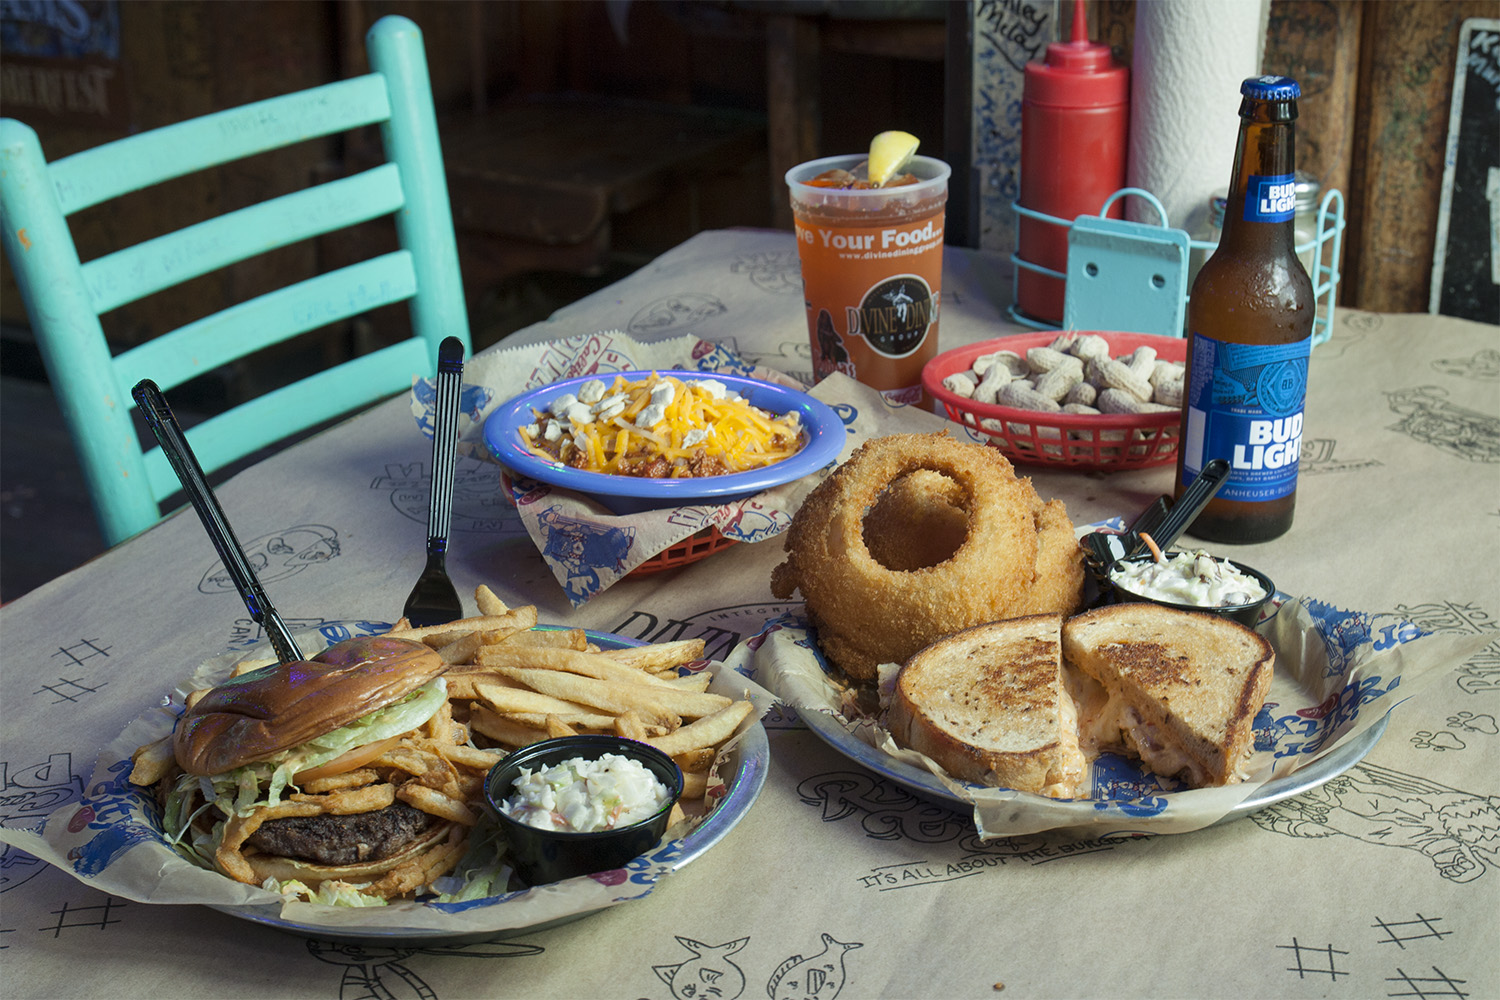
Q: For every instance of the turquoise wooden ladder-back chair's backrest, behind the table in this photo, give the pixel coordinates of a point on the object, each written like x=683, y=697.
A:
x=65, y=298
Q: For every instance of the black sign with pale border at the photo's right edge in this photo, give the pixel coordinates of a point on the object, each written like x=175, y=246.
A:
x=1466, y=262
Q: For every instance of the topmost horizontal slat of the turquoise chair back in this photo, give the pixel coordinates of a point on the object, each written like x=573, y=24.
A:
x=176, y=151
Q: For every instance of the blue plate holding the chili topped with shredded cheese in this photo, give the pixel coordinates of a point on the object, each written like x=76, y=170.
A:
x=629, y=494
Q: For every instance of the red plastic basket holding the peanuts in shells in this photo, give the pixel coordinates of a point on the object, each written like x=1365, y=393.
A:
x=1079, y=442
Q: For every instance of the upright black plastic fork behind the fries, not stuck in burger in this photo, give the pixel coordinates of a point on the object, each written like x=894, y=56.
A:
x=436, y=600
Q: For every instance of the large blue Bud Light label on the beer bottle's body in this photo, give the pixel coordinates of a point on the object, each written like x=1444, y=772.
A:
x=1246, y=407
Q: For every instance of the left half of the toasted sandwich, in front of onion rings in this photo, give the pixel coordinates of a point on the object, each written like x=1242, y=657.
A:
x=991, y=707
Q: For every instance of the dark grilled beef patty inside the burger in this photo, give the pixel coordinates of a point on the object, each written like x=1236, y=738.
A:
x=343, y=840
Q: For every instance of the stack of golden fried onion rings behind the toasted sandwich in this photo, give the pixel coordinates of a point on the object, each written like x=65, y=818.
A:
x=917, y=537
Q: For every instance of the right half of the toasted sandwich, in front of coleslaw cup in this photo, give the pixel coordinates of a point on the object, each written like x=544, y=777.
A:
x=1181, y=689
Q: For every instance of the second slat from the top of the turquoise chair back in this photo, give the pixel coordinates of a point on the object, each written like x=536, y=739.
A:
x=206, y=247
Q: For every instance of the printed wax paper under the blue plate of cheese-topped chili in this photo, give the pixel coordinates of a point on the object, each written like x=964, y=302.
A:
x=587, y=546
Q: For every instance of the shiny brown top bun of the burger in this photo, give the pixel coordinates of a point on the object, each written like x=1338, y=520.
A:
x=263, y=713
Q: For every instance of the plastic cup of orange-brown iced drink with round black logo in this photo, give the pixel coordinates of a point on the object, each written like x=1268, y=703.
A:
x=872, y=274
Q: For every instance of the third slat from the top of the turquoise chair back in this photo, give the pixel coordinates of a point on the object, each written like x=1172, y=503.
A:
x=254, y=326
